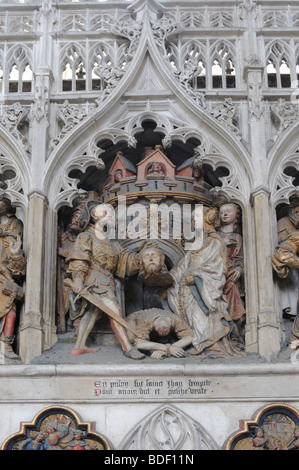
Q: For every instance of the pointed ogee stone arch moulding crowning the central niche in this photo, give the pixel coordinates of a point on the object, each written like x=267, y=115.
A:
x=199, y=117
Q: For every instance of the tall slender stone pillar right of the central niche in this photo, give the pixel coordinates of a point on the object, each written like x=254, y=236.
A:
x=263, y=326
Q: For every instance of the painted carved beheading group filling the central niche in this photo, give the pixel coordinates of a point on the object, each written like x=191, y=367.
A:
x=195, y=307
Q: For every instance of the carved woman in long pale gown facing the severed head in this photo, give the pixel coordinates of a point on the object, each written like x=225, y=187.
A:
x=197, y=295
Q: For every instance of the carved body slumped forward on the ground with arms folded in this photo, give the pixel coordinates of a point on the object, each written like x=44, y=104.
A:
x=163, y=333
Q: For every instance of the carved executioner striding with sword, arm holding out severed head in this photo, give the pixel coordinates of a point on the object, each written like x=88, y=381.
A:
x=92, y=265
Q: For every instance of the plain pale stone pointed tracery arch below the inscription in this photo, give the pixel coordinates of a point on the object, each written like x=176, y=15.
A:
x=168, y=428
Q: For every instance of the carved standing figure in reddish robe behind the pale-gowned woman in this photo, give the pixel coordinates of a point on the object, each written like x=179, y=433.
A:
x=228, y=216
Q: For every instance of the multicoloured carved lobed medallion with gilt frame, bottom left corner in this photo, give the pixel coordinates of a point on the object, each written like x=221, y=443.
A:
x=58, y=415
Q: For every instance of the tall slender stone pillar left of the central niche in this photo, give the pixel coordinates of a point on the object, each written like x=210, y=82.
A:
x=36, y=329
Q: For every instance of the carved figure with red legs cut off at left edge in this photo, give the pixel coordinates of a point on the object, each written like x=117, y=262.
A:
x=12, y=271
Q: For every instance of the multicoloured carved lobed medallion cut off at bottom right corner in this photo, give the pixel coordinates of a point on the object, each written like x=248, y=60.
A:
x=277, y=422
